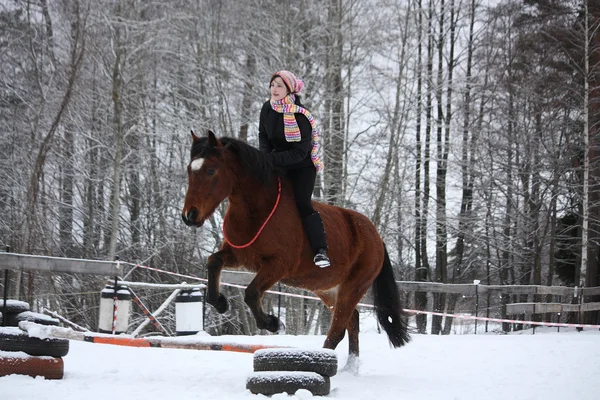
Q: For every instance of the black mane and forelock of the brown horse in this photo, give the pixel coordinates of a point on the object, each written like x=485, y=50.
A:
x=252, y=160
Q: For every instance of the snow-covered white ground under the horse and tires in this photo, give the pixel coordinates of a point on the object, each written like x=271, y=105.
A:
x=545, y=366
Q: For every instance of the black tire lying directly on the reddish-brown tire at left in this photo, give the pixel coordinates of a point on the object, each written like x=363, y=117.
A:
x=17, y=340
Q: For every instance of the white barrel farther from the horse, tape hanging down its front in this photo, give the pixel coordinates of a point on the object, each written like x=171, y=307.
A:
x=105, y=321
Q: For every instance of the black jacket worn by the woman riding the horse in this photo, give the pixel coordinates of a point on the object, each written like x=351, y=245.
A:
x=271, y=139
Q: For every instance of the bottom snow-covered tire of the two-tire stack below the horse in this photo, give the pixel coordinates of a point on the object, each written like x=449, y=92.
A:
x=269, y=383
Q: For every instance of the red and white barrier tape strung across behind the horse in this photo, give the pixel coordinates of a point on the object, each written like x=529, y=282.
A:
x=457, y=316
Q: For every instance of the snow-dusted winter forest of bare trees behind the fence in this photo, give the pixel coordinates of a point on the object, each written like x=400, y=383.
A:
x=466, y=130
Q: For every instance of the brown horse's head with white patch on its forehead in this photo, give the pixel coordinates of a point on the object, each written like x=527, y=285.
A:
x=209, y=181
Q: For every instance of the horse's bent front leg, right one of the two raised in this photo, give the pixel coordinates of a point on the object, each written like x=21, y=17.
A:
x=253, y=296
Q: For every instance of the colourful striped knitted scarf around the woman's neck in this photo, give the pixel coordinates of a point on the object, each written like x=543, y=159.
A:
x=288, y=107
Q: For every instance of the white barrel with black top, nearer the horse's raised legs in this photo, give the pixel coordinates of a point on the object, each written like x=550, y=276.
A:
x=189, y=312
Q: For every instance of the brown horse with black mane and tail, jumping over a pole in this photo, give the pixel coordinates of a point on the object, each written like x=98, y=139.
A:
x=263, y=234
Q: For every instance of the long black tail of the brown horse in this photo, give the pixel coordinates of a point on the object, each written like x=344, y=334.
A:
x=387, y=304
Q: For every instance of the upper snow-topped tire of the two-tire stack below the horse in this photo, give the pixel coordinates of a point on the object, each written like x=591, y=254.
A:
x=323, y=362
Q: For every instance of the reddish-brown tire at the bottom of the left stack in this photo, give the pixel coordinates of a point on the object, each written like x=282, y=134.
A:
x=48, y=367
